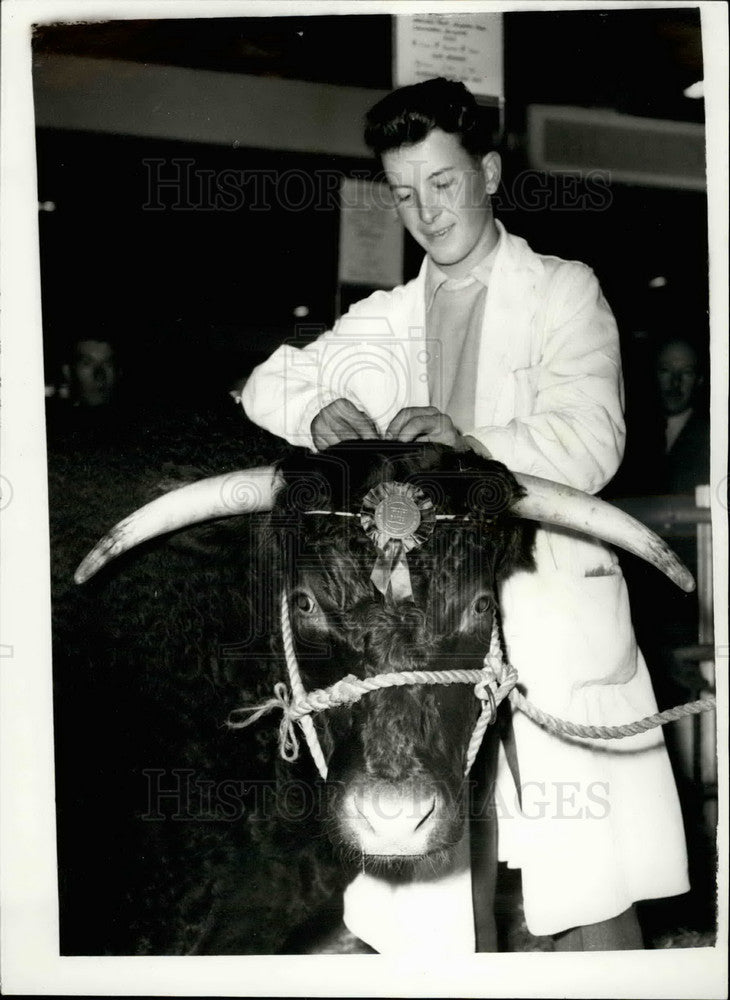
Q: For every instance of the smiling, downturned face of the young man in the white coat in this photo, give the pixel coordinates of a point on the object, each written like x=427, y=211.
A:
x=442, y=195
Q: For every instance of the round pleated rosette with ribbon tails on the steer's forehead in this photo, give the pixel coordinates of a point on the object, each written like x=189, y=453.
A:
x=396, y=517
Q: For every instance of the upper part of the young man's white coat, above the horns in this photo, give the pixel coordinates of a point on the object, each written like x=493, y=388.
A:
x=548, y=393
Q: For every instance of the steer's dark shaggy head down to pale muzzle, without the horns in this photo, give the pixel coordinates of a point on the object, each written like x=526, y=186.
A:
x=396, y=757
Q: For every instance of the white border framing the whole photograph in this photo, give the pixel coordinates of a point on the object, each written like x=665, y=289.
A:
x=29, y=934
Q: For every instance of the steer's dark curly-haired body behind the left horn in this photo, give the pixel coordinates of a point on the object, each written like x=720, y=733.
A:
x=149, y=659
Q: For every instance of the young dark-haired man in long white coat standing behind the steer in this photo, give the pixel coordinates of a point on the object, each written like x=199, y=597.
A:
x=516, y=355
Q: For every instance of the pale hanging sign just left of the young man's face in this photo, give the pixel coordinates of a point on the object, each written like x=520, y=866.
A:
x=371, y=236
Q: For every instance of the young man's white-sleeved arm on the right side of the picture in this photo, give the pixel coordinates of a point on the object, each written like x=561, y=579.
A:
x=575, y=432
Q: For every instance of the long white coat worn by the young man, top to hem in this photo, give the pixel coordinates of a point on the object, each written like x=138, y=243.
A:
x=599, y=827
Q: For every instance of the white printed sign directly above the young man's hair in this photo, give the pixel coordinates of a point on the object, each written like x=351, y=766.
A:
x=466, y=47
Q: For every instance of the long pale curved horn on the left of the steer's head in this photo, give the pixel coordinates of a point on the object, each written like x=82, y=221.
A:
x=246, y=492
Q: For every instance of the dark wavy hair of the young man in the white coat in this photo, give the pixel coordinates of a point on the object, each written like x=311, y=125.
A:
x=407, y=115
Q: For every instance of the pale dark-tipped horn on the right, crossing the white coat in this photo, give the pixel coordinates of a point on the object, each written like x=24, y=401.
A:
x=565, y=507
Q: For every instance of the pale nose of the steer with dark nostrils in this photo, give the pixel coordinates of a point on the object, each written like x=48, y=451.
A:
x=390, y=820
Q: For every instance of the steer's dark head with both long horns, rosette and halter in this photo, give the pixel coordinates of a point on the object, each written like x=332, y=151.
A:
x=389, y=559
